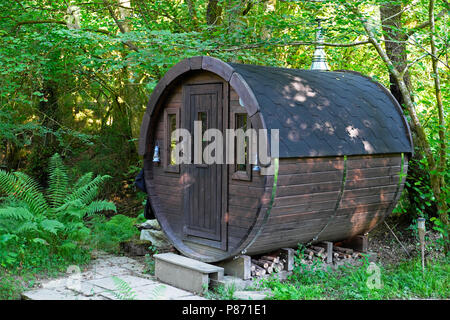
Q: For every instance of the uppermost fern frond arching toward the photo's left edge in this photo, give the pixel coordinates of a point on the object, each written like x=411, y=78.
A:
x=23, y=187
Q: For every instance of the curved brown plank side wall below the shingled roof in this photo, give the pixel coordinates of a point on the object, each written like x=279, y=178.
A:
x=307, y=199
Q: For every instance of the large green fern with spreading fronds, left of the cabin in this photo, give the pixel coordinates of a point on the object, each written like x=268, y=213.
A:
x=56, y=215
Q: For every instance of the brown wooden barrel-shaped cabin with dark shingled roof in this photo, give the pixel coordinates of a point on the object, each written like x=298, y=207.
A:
x=344, y=146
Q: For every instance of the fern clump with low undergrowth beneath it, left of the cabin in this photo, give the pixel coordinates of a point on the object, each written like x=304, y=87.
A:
x=51, y=221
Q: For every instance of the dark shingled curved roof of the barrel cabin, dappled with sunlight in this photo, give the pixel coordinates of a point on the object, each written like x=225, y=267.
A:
x=322, y=113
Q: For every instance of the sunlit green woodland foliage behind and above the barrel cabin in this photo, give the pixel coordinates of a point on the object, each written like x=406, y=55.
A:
x=85, y=89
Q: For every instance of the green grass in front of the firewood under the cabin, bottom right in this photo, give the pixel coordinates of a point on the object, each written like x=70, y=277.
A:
x=401, y=281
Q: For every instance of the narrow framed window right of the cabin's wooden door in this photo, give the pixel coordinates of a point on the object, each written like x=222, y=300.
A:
x=239, y=120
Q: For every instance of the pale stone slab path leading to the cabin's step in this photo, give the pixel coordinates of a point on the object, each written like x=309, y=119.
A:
x=108, y=278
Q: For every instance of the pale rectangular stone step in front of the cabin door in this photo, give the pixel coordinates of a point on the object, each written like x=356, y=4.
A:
x=186, y=273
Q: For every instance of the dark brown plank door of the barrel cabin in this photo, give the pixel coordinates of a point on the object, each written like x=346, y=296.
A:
x=203, y=196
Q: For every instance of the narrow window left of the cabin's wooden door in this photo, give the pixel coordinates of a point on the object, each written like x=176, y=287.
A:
x=171, y=120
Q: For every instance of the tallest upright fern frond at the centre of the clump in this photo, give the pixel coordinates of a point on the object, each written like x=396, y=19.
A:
x=58, y=181
